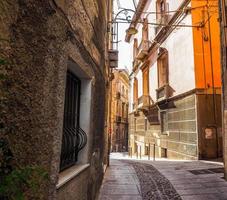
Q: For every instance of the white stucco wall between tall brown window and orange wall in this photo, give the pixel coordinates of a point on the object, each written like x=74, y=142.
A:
x=181, y=59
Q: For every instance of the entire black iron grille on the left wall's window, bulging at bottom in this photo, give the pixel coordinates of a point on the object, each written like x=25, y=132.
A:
x=74, y=138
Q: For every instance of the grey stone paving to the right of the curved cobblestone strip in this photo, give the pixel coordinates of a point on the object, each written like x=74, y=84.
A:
x=192, y=179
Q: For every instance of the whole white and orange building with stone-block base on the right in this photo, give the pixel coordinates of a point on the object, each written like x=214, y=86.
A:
x=175, y=100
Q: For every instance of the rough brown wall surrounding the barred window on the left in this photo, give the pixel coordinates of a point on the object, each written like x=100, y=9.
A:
x=37, y=38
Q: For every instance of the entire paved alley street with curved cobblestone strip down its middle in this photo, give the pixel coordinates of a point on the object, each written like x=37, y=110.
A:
x=141, y=179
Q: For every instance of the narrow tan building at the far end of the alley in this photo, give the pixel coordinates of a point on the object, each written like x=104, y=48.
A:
x=119, y=111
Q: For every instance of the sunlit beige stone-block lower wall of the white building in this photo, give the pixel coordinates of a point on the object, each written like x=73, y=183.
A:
x=180, y=137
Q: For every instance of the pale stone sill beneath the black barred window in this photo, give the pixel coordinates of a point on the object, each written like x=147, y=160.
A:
x=70, y=173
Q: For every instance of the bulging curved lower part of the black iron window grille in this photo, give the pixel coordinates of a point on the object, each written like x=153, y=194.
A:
x=74, y=139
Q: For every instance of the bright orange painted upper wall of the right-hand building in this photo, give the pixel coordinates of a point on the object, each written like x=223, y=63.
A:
x=202, y=39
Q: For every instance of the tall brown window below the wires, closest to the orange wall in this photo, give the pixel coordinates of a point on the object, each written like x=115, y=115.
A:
x=163, y=77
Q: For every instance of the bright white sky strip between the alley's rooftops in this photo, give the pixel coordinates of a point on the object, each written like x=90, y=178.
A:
x=125, y=51
